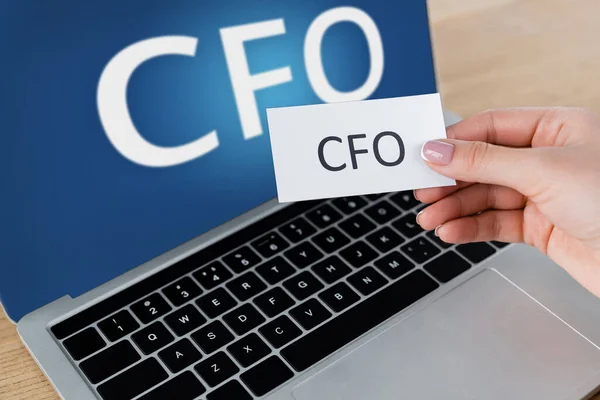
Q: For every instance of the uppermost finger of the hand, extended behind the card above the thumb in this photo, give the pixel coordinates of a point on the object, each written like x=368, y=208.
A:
x=518, y=127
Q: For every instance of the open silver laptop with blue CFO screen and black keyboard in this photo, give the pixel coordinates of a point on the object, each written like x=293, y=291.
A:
x=146, y=257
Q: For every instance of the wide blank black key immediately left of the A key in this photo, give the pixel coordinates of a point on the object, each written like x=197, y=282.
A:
x=134, y=381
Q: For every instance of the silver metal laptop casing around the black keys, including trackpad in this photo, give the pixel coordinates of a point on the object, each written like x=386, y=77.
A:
x=514, y=326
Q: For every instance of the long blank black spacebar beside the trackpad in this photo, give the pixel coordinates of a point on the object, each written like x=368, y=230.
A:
x=355, y=321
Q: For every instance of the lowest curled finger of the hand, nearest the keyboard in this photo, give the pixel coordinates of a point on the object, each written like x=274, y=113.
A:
x=503, y=226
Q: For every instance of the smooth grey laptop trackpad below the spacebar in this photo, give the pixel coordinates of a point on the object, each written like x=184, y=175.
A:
x=485, y=340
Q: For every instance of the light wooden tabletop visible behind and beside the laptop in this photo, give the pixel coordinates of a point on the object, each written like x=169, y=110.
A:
x=489, y=53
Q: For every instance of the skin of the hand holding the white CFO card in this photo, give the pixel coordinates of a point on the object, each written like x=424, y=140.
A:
x=524, y=175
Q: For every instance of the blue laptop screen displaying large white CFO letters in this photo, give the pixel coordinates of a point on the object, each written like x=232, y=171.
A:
x=132, y=126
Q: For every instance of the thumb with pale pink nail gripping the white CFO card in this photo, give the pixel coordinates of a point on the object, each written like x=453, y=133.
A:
x=518, y=168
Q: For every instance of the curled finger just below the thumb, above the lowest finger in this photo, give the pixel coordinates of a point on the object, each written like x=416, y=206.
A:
x=470, y=201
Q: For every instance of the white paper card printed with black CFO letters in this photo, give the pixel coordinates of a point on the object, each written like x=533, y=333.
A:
x=363, y=147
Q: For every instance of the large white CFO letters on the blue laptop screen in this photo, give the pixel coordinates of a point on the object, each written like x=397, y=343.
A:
x=112, y=87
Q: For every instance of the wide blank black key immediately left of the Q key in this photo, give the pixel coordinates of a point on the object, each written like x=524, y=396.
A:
x=110, y=361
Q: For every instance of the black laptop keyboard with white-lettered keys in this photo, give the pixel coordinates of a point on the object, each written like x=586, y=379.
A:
x=243, y=316
